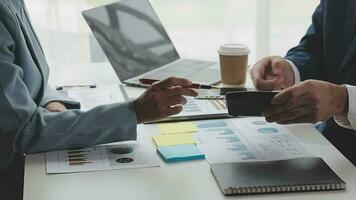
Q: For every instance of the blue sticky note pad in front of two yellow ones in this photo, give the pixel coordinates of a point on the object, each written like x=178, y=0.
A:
x=182, y=152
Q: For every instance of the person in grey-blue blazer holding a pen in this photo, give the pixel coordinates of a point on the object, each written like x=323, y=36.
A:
x=35, y=118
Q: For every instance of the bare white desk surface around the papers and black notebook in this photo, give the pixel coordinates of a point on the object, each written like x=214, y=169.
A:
x=185, y=180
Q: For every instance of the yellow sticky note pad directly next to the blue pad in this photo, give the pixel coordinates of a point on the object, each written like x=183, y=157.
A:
x=175, y=139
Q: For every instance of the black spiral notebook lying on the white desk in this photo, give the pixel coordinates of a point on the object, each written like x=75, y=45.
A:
x=292, y=175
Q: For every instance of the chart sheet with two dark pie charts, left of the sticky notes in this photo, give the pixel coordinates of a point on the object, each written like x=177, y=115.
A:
x=124, y=155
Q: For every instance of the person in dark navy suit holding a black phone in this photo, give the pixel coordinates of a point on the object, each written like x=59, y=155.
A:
x=325, y=62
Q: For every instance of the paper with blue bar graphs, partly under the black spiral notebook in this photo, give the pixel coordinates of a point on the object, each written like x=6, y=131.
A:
x=246, y=139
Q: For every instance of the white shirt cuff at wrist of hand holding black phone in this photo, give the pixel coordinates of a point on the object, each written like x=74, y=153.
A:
x=350, y=120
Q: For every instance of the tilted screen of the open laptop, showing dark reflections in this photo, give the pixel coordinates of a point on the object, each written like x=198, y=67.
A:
x=132, y=37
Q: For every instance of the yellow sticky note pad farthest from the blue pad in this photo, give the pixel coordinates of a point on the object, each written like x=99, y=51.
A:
x=179, y=127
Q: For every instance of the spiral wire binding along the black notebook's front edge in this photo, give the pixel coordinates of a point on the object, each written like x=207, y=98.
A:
x=285, y=188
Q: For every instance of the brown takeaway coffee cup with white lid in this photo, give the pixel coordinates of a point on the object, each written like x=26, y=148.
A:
x=233, y=63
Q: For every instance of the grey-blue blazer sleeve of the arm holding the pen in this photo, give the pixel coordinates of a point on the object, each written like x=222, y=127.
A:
x=26, y=127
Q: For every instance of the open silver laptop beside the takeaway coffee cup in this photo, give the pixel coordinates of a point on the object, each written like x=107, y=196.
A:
x=137, y=45
